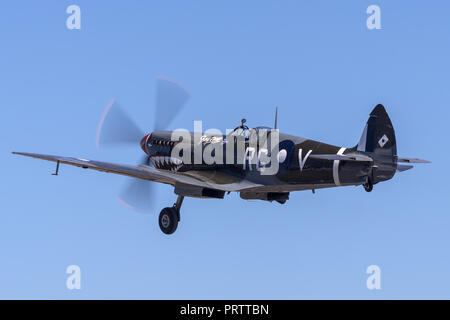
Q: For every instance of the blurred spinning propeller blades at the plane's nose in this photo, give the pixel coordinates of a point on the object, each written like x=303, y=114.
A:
x=116, y=128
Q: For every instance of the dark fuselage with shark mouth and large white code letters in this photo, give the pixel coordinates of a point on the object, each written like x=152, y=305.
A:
x=296, y=169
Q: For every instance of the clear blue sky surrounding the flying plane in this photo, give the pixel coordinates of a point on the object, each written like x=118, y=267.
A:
x=316, y=60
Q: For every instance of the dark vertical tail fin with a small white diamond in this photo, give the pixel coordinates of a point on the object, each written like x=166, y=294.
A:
x=378, y=139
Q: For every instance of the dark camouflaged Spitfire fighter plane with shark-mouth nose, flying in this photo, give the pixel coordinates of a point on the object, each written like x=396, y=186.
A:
x=303, y=164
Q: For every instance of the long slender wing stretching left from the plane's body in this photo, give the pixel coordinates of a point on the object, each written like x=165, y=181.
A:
x=144, y=172
